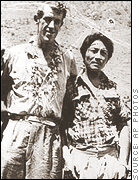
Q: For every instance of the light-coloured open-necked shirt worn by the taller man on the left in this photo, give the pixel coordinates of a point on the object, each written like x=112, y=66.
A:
x=38, y=88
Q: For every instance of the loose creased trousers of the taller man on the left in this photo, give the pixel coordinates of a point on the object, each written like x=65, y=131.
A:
x=30, y=150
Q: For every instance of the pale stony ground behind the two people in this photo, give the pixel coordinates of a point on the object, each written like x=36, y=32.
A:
x=83, y=18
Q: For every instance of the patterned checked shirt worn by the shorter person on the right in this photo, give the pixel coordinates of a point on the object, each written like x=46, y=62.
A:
x=93, y=116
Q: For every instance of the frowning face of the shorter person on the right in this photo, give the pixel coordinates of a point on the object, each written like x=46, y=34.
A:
x=96, y=56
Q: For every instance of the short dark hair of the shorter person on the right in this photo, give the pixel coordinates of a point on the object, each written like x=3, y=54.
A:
x=93, y=37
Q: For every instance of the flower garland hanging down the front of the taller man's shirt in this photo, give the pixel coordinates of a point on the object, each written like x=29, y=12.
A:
x=43, y=85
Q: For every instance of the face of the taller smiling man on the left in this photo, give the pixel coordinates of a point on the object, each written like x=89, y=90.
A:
x=50, y=25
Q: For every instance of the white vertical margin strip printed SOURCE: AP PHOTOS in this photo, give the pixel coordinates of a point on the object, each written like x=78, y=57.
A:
x=135, y=91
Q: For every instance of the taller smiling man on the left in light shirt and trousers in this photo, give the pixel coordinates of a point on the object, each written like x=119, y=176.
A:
x=31, y=144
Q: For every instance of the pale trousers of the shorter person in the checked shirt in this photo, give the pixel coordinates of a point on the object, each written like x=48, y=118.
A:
x=102, y=164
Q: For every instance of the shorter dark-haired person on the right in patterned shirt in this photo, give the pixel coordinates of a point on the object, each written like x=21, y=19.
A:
x=95, y=118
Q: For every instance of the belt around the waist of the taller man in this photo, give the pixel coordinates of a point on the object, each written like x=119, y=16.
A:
x=50, y=121
